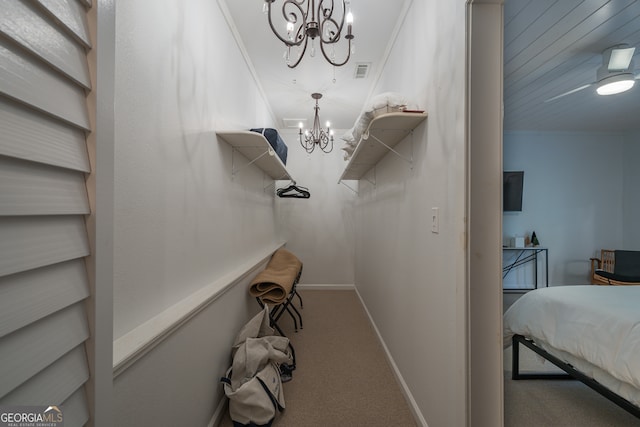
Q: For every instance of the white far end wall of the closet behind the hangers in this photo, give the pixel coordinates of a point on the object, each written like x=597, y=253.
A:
x=319, y=230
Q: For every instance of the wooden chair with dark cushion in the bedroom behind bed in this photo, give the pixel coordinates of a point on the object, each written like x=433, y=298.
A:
x=604, y=272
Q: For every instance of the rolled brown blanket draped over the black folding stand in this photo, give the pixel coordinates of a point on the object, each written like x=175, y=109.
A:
x=273, y=284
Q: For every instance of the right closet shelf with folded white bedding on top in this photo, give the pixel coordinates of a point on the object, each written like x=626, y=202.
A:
x=384, y=133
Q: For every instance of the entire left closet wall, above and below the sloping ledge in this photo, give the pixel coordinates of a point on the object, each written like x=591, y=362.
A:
x=180, y=222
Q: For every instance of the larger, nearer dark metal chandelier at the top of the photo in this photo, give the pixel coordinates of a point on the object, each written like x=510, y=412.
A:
x=303, y=21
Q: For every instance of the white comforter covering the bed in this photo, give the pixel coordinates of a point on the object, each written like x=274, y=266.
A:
x=595, y=328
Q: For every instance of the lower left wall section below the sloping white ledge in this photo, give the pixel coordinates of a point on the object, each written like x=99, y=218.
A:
x=177, y=384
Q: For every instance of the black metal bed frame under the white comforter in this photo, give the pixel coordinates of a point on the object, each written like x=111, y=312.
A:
x=571, y=373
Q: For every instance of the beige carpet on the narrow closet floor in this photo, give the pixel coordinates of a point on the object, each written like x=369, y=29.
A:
x=343, y=377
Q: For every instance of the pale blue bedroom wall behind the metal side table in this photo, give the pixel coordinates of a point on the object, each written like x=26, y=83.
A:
x=574, y=189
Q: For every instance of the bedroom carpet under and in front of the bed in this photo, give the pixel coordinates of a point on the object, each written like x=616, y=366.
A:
x=565, y=403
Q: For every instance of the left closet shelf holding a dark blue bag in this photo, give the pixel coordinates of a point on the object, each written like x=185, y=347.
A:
x=255, y=147
